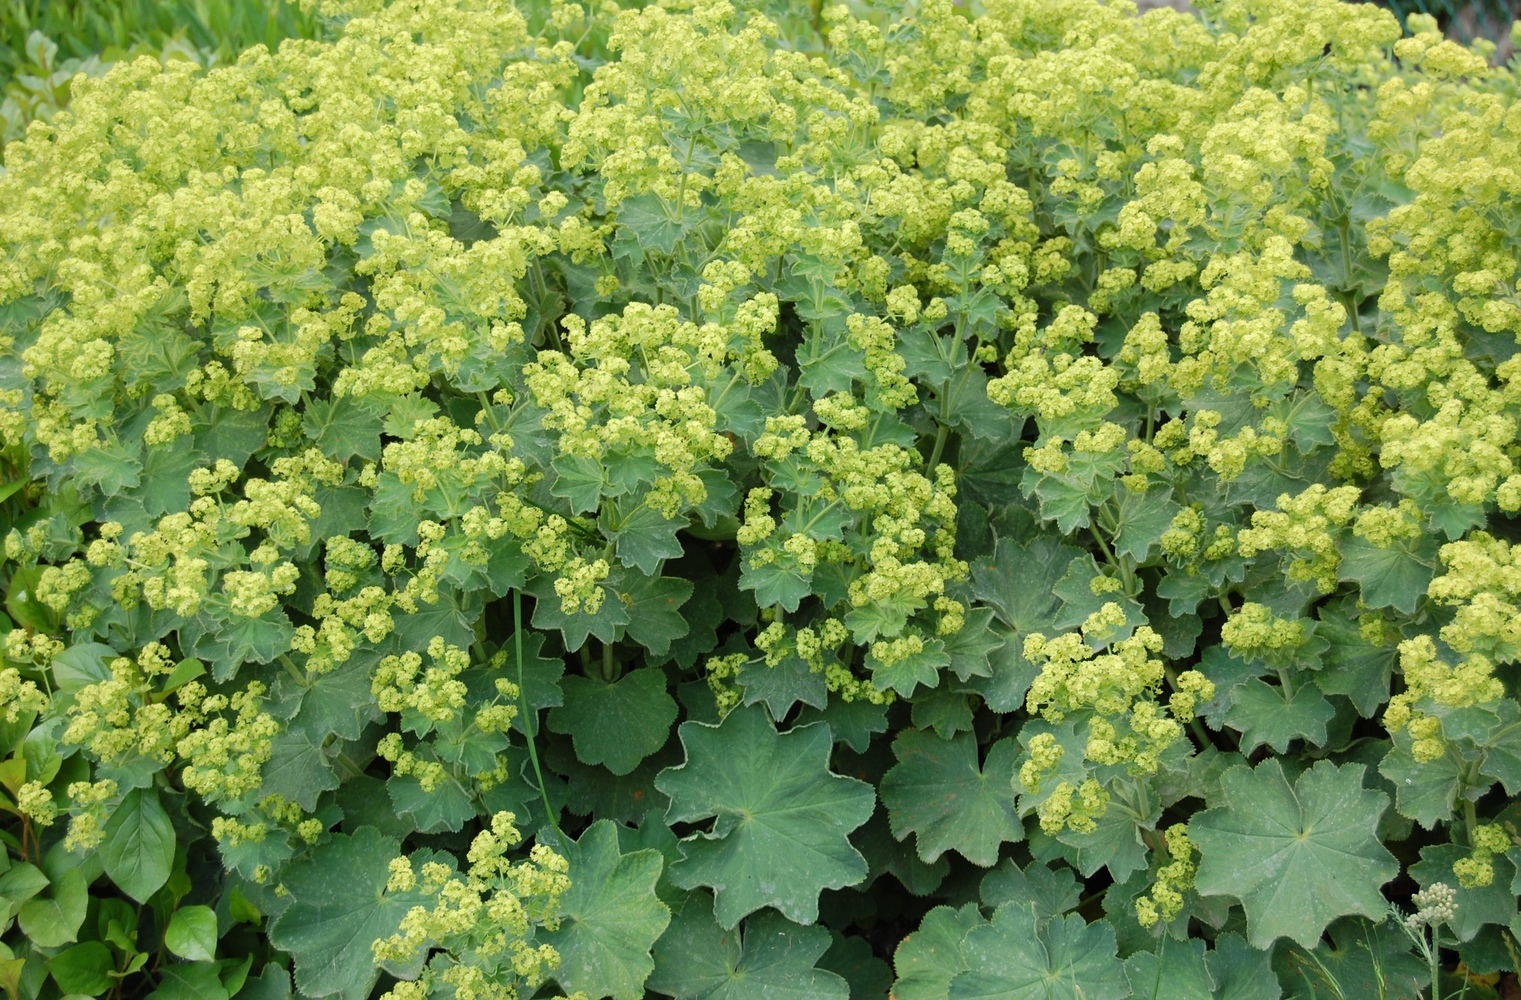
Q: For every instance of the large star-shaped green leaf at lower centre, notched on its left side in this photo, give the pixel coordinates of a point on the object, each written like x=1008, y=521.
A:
x=781, y=817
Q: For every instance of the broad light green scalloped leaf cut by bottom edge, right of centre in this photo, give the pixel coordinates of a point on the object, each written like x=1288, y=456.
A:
x=1020, y=958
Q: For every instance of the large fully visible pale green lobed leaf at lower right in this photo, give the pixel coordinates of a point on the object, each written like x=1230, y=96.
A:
x=1295, y=856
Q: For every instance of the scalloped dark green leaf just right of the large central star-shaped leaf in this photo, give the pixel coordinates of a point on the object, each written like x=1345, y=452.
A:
x=939, y=794
